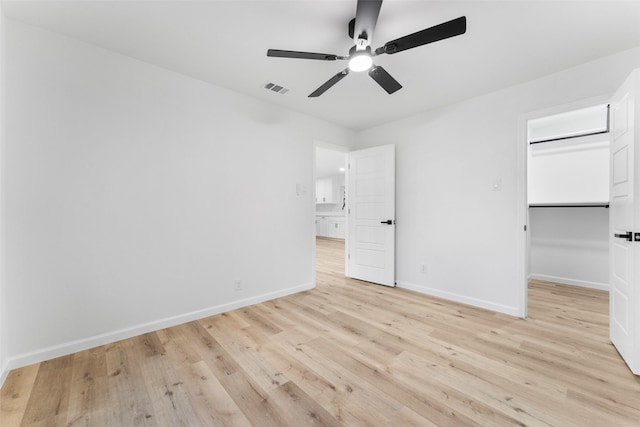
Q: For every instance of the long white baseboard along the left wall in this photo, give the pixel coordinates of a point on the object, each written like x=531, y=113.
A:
x=109, y=337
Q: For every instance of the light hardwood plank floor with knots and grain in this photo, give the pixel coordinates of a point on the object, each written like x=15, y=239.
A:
x=346, y=353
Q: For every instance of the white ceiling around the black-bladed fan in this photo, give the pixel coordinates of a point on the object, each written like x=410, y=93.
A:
x=225, y=43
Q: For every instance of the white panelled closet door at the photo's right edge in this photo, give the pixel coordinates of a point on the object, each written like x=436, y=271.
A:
x=624, y=248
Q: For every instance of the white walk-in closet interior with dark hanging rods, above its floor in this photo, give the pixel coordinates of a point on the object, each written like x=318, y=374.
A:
x=568, y=196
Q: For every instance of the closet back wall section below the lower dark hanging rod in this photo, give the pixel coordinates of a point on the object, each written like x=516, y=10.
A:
x=570, y=245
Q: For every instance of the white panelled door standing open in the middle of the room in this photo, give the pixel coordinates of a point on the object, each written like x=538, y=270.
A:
x=371, y=215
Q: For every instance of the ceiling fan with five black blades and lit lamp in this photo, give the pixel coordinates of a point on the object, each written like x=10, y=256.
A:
x=360, y=56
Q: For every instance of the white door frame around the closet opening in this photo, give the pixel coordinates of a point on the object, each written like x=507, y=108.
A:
x=524, y=238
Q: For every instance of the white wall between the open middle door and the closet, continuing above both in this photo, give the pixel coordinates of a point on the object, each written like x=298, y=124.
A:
x=448, y=161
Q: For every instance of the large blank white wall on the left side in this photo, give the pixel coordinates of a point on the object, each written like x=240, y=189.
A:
x=135, y=196
